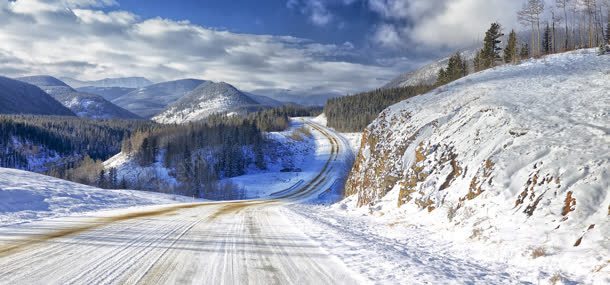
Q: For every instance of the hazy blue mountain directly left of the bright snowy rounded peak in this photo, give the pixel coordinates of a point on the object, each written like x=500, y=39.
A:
x=150, y=100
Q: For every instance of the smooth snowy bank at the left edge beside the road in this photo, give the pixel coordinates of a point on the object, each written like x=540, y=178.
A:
x=27, y=196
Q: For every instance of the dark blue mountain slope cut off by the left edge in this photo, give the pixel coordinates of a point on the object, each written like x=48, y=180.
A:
x=18, y=97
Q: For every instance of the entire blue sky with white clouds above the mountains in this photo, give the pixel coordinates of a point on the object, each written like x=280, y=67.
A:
x=311, y=47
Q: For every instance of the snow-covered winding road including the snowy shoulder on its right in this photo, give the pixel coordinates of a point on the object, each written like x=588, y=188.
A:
x=284, y=240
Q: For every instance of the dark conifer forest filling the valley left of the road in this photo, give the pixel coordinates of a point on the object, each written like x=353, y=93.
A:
x=196, y=154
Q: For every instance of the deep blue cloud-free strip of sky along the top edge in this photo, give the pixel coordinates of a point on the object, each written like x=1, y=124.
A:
x=350, y=22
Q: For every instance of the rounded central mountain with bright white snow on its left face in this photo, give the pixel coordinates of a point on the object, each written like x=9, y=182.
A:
x=207, y=99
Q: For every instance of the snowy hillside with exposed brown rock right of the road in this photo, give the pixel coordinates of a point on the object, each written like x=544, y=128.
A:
x=516, y=159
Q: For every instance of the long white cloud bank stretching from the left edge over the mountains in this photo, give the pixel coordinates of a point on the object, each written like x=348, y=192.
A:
x=76, y=38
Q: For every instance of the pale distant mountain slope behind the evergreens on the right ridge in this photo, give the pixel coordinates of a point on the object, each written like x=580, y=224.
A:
x=426, y=74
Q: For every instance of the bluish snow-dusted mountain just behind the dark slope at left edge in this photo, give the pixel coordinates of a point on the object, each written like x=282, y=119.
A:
x=82, y=104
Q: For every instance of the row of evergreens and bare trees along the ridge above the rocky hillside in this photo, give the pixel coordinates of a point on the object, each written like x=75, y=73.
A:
x=583, y=28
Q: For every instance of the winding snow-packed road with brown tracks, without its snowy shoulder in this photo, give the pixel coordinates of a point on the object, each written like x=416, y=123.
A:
x=238, y=242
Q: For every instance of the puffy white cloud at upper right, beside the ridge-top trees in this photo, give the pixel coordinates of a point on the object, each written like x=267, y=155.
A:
x=440, y=23
